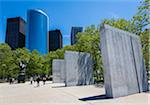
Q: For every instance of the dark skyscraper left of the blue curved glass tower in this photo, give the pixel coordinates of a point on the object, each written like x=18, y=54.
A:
x=15, y=32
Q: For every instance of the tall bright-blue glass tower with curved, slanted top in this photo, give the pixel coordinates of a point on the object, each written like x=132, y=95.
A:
x=37, y=31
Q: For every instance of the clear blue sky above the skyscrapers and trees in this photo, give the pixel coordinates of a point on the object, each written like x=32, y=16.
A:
x=64, y=14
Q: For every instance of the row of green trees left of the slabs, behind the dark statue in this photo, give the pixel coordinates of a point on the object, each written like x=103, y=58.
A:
x=36, y=64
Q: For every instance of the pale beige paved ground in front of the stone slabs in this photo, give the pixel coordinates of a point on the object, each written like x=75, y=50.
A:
x=56, y=94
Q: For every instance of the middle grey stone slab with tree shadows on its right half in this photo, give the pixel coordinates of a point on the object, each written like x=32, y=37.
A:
x=79, y=68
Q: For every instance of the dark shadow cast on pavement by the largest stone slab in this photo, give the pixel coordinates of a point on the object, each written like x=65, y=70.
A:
x=99, y=97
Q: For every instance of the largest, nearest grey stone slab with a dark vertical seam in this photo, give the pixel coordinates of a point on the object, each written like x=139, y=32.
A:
x=123, y=62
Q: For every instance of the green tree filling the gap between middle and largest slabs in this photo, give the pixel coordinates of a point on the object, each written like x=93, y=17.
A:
x=88, y=41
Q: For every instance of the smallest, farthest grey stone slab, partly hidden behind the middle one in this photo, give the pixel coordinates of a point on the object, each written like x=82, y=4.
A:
x=58, y=71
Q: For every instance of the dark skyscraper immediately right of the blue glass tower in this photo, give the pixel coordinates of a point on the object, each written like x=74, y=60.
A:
x=55, y=40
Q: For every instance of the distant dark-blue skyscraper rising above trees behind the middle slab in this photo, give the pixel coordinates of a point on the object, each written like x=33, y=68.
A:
x=74, y=31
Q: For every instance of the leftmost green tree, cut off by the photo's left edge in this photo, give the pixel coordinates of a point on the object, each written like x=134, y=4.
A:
x=7, y=63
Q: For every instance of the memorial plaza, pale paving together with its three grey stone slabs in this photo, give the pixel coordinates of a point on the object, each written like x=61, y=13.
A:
x=73, y=84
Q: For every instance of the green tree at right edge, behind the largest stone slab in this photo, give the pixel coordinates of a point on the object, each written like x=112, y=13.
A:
x=141, y=21
